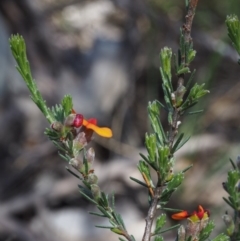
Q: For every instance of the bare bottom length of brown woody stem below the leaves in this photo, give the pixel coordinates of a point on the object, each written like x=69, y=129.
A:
x=151, y=214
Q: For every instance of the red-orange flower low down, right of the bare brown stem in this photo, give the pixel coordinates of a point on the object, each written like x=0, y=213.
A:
x=194, y=216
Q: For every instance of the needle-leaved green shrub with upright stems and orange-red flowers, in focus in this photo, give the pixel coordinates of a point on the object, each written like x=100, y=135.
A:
x=71, y=133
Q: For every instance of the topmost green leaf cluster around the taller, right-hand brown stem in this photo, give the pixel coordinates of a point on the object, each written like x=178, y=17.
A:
x=176, y=99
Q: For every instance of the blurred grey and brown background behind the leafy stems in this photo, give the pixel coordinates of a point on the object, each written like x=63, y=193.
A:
x=105, y=53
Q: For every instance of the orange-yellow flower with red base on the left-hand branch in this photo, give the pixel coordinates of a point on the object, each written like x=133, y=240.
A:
x=92, y=125
